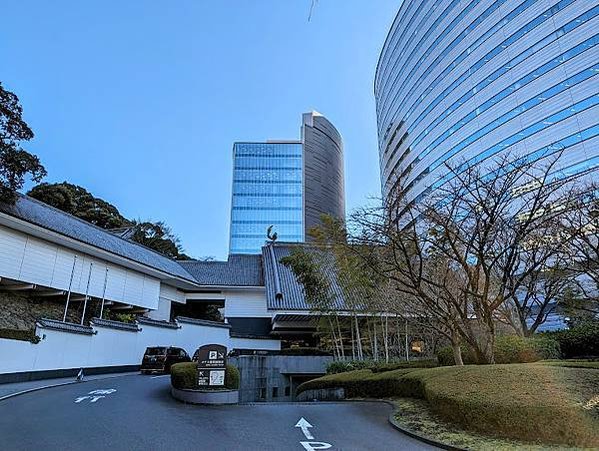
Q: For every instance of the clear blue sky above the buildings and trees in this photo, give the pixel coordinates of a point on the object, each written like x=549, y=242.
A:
x=140, y=101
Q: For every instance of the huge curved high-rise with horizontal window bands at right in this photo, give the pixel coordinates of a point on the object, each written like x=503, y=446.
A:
x=461, y=81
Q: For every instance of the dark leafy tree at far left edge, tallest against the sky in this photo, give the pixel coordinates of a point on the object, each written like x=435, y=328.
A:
x=15, y=162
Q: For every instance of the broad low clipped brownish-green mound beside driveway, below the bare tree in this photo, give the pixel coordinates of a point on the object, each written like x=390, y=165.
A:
x=536, y=402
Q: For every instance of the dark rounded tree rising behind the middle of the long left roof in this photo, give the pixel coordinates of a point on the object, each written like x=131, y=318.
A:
x=81, y=203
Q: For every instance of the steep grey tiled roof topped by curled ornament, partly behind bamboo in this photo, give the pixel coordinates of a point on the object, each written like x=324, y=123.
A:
x=288, y=293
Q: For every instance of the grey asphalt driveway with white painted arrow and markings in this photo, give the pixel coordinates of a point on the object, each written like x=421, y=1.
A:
x=137, y=413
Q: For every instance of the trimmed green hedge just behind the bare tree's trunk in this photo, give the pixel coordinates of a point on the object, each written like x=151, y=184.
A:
x=508, y=349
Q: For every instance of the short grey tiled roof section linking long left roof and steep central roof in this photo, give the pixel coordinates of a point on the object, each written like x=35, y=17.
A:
x=238, y=270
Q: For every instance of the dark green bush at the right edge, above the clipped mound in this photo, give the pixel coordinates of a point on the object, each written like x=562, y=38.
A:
x=581, y=340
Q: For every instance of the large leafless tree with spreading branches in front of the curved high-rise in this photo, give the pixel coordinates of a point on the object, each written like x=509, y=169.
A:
x=464, y=255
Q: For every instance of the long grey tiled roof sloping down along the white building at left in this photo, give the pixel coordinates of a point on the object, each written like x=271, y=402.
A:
x=50, y=218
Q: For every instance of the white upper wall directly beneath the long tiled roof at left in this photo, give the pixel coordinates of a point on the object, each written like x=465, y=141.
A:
x=28, y=259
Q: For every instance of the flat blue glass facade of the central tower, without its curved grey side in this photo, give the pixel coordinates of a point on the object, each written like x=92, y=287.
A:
x=267, y=190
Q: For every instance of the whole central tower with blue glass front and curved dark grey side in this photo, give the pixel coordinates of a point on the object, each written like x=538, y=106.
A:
x=286, y=184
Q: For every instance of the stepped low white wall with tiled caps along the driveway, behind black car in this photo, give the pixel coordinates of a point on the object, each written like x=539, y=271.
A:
x=110, y=345
